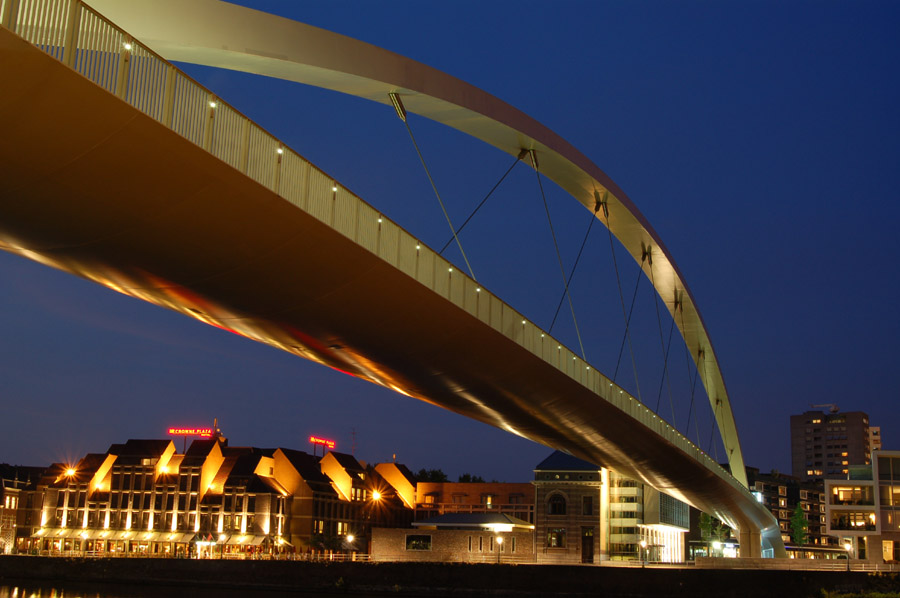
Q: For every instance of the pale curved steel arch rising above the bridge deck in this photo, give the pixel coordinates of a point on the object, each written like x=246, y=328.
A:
x=247, y=40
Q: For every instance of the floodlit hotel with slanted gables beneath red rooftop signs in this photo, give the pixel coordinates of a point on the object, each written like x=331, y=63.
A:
x=142, y=497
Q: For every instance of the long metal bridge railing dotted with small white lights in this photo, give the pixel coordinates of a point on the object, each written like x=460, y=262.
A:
x=83, y=39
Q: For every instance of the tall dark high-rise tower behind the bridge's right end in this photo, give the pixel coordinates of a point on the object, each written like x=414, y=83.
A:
x=823, y=445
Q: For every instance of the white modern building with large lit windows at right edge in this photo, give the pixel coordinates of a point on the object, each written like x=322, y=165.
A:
x=863, y=510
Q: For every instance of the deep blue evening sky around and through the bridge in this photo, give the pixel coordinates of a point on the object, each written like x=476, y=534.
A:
x=760, y=139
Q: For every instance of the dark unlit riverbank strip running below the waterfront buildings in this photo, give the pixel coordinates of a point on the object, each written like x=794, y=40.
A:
x=439, y=580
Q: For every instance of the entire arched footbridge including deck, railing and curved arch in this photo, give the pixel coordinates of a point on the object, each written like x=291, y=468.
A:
x=209, y=215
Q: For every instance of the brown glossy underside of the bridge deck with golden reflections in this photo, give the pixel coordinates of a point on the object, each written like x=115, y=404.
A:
x=94, y=187
